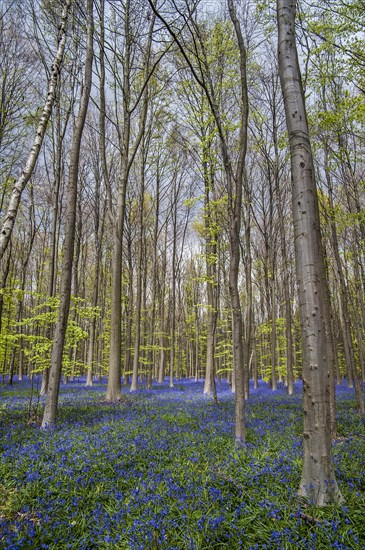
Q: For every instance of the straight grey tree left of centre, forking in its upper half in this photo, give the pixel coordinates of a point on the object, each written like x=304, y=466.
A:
x=128, y=148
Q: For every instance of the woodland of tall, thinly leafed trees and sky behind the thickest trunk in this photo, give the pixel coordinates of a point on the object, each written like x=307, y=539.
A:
x=140, y=132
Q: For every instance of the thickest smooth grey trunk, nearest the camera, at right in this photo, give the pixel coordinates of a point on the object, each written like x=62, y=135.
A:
x=318, y=481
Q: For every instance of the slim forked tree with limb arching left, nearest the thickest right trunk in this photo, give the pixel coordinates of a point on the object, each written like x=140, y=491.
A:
x=234, y=168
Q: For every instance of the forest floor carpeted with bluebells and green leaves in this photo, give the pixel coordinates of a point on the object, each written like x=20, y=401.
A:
x=159, y=470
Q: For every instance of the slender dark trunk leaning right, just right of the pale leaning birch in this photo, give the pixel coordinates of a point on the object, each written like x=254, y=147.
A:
x=50, y=411
